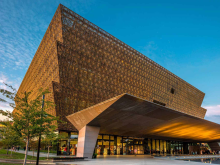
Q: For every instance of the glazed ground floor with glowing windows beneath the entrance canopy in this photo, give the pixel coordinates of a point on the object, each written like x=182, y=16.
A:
x=118, y=145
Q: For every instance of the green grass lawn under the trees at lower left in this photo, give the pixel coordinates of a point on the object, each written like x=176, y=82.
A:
x=15, y=155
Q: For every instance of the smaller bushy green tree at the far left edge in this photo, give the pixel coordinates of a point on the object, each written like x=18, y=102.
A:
x=9, y=136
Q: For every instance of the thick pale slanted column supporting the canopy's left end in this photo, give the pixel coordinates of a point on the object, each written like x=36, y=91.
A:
x=86, y=141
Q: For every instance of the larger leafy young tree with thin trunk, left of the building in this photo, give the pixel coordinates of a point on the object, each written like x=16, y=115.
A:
x=29, y=118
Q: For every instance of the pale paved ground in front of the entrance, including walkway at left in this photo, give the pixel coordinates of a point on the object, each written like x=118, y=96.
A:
x=130, y=160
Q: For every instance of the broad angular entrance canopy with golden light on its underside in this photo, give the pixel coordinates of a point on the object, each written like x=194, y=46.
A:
x=127, y=115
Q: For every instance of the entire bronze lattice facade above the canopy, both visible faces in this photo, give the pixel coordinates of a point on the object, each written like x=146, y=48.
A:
x=83, y=65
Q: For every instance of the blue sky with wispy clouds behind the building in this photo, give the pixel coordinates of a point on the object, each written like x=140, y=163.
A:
x=183, y=36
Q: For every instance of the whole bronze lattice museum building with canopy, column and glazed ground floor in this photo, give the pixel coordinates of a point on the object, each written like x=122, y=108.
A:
x=113, y=99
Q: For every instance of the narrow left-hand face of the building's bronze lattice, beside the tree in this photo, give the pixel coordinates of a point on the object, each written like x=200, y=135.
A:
x=44, y=66
